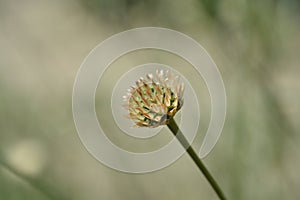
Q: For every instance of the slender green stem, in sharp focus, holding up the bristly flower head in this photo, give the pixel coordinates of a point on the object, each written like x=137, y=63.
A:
x=179, y=135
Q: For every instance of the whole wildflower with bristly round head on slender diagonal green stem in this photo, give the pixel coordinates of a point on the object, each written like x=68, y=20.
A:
x=154, y=102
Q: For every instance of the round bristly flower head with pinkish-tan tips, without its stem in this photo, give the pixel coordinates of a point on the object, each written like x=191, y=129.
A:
x=155, y=100
